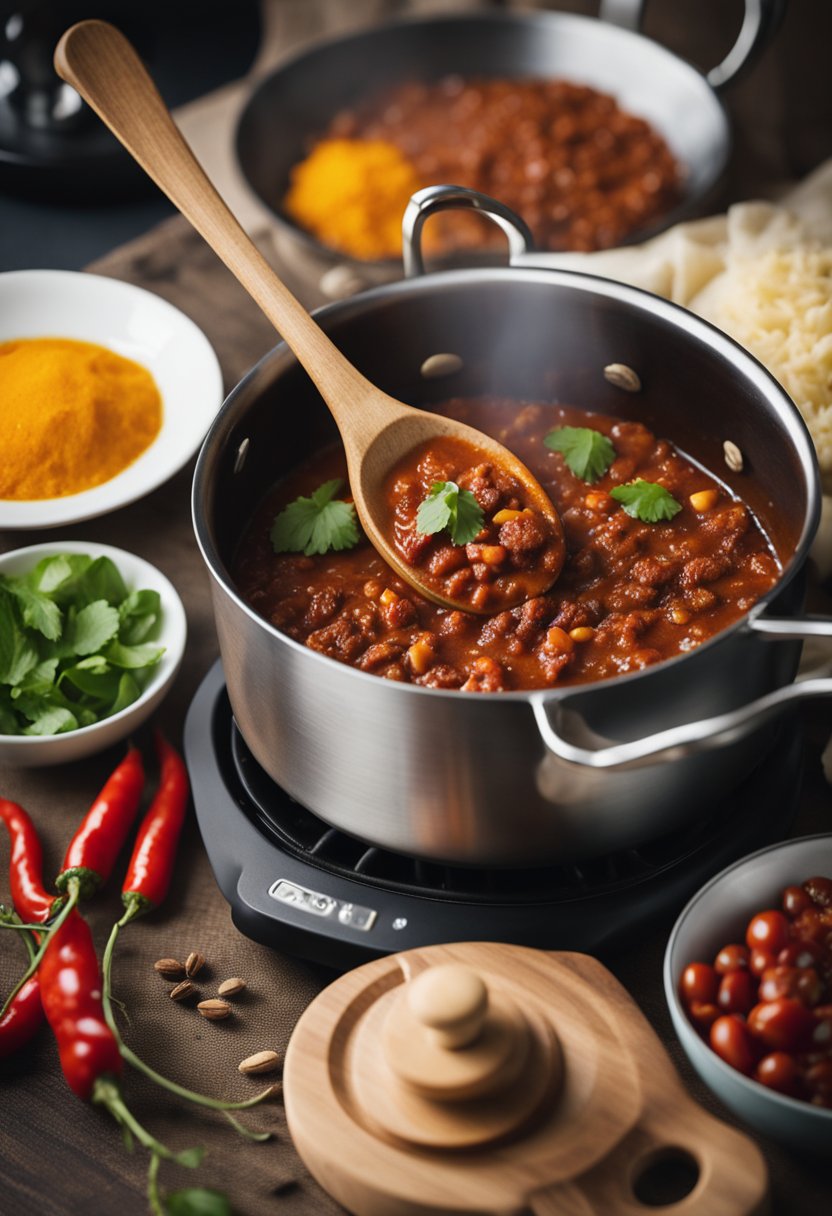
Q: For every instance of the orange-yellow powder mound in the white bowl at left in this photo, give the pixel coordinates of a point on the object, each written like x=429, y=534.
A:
x=72, y=416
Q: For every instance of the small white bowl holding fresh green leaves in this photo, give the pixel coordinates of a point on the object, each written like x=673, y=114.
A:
x=25, y=751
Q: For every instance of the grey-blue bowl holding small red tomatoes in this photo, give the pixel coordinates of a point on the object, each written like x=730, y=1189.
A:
x=718, y=915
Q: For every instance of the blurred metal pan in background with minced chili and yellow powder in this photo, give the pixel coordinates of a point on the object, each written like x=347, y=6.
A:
x=295, y=104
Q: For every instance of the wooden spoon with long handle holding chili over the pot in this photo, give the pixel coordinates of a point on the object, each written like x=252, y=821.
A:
x=376, y=430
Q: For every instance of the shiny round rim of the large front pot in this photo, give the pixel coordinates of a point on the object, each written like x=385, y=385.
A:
x=743, y=361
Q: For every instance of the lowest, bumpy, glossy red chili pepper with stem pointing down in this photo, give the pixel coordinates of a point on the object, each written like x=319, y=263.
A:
x=71, y=995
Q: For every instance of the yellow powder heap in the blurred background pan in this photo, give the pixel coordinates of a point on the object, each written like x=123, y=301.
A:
x=352, y=195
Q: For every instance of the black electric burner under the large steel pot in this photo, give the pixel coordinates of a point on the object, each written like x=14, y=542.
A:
x=299, y=885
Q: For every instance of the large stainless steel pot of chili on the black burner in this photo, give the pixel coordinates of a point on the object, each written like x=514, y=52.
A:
x=522, y=778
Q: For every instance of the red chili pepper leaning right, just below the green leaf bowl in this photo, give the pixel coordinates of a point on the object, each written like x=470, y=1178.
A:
x=93, y=851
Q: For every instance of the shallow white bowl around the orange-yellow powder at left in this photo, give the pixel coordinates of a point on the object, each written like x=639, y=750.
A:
x=134, y=324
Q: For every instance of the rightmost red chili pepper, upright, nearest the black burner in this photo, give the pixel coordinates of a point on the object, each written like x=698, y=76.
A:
x=151, y=865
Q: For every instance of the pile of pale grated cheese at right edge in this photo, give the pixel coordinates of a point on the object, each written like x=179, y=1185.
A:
x=779, y=306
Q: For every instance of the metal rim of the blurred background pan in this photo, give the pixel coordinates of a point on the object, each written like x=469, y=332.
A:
x=514, y=18
